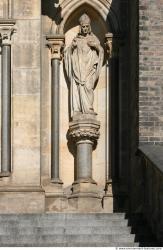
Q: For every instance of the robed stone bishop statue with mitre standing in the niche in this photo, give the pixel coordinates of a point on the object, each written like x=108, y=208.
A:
x=83, y=61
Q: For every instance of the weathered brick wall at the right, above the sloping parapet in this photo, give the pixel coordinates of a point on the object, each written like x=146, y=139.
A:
x=151, y=71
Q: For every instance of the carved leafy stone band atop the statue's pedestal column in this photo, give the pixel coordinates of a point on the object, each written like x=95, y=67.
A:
x=79, y=131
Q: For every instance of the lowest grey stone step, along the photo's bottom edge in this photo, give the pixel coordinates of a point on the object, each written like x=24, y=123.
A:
x=33, y=239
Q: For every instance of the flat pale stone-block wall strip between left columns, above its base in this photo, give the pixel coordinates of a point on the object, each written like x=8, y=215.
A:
x=26, y=92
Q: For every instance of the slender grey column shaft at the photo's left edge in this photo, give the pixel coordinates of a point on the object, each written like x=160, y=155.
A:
x=6, y=110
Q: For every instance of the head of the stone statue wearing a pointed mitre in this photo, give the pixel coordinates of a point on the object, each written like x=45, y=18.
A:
x=85, y=24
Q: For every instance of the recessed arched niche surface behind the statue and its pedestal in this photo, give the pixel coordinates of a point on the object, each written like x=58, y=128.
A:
x=100, y=27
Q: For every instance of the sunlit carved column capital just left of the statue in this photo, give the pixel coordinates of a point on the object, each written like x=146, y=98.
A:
x=56, y=45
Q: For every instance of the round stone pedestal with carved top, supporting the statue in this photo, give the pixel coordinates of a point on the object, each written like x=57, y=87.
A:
x=83, y=135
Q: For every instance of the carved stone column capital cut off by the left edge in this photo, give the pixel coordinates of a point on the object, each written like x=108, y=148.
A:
x=7, y=28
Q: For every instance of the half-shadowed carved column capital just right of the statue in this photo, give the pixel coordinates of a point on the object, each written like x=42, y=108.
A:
x=112, y=44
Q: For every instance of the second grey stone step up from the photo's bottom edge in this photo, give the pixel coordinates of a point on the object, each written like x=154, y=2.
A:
x=76, y=230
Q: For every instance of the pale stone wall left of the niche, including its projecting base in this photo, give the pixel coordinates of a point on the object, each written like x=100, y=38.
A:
x=21, y=192
